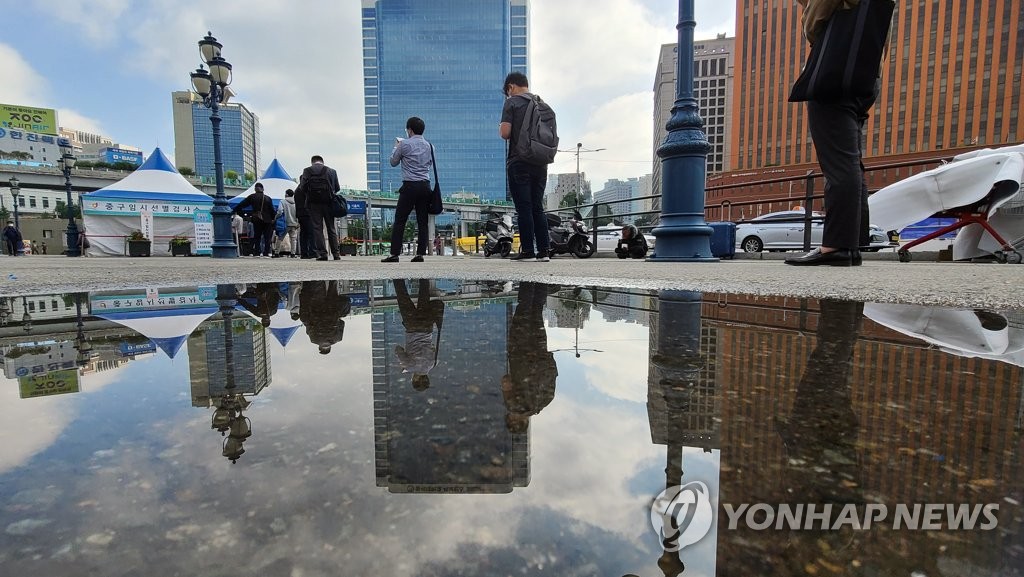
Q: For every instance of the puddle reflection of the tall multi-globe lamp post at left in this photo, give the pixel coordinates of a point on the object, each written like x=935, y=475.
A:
x=228, y=418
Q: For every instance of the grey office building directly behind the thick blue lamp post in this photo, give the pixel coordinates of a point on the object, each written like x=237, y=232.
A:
x=713, y=91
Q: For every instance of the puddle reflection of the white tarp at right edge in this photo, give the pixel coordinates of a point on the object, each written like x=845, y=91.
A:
x=964, y=333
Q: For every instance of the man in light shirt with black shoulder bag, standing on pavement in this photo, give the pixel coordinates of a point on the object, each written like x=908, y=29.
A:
x=416, y=156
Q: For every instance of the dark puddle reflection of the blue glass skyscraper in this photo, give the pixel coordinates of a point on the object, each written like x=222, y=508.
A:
x=450, y=437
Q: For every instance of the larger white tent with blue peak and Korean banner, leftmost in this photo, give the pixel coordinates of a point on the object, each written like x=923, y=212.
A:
x=155, y=199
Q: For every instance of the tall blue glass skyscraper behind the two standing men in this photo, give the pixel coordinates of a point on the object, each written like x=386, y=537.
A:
x=445, y=62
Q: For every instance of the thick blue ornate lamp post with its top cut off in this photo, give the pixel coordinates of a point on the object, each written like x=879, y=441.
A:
x=684, y=236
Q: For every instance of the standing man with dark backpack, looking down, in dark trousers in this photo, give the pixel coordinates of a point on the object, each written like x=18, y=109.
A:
x=529, y=126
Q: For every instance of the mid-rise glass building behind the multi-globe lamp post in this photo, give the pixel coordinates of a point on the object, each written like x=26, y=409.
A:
x=240, y=141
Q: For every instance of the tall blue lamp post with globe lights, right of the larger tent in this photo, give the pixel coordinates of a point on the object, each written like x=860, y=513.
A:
x=211, y=87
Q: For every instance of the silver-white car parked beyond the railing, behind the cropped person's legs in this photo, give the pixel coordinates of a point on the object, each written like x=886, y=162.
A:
x=779, y=231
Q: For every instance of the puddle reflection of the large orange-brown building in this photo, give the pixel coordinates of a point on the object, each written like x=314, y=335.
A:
x=927, y=428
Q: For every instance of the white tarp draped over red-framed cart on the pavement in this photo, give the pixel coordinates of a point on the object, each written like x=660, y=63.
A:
x=969, y=179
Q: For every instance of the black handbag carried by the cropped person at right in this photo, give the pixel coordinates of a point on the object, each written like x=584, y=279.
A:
x=846, y=59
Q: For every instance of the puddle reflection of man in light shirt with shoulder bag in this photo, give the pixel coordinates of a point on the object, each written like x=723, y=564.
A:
x=420, y=353
